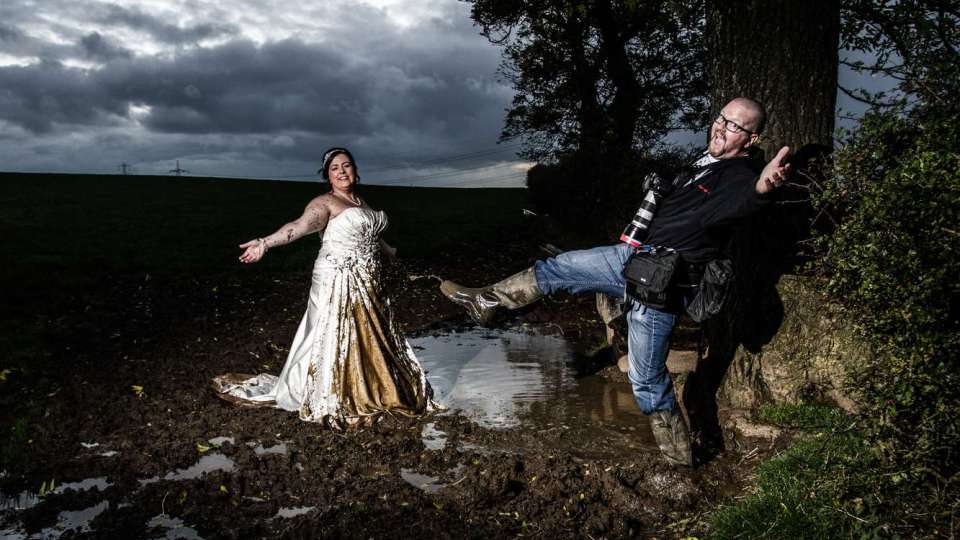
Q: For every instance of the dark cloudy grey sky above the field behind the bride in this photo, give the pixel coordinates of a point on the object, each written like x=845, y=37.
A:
x=254, y=88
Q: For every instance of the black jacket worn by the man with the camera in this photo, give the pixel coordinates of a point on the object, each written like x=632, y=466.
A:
x=696, y=219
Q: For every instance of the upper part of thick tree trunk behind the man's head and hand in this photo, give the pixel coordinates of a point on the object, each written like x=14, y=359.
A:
x=783, y=54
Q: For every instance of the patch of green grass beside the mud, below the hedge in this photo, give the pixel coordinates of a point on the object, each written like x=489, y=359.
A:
x=818, y=488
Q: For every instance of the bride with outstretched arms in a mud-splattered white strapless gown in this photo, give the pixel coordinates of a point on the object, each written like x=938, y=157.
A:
x=348, y=362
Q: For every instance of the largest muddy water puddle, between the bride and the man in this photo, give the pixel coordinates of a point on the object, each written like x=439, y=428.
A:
x=508, y=379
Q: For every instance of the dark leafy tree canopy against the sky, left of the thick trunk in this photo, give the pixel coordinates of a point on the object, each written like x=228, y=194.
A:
x=603, y=77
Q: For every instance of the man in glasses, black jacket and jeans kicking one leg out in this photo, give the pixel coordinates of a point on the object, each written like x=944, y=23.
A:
x=694, y=219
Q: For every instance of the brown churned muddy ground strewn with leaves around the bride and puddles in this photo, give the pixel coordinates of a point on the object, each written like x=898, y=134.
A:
x=136, y=386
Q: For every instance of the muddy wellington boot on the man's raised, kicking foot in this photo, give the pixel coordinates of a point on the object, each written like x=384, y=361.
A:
x=481, y=303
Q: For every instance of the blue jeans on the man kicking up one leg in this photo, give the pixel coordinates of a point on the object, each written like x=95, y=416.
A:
x=648, y=342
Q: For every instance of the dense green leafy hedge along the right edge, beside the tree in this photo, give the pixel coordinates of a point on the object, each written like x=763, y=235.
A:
x=893, y=261
